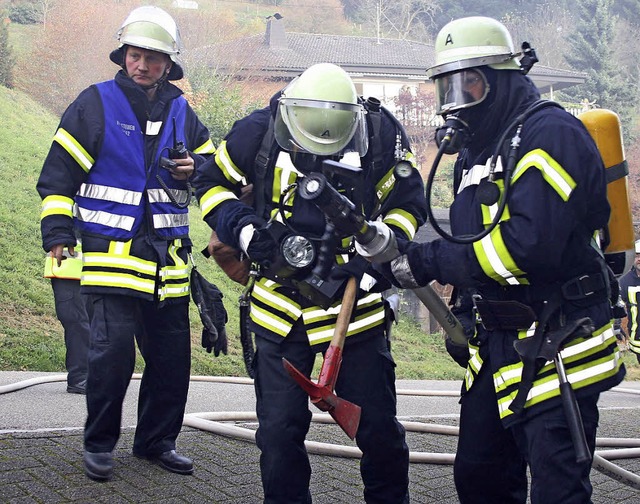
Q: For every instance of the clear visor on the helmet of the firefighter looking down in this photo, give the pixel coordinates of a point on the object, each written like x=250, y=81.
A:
x=321, y=127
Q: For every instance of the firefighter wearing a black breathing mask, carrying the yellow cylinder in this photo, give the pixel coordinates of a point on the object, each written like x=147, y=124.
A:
x=530, y=195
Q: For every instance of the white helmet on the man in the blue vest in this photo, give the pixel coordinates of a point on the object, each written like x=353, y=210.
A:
x=151, y=28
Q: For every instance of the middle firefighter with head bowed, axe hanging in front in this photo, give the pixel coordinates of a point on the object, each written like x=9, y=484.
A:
x=317, y=117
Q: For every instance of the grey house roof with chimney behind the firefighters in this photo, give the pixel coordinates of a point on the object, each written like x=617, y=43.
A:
x=280, y=54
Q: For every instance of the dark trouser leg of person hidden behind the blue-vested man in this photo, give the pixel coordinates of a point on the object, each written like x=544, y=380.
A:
x=71, y=310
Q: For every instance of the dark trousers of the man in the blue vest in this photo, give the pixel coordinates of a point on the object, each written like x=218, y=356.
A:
x=163, y=338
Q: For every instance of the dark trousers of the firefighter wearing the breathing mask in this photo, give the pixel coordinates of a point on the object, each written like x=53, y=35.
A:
x=491, y=461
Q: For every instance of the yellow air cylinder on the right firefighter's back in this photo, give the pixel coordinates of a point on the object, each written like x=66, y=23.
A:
x=604, y=127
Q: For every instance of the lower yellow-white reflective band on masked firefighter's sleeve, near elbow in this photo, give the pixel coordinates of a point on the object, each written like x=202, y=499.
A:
x=496, y=261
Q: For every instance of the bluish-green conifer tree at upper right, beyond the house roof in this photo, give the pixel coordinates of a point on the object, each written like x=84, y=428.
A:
x=592, y=53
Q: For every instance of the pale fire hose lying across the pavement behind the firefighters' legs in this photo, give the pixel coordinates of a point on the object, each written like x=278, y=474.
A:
x=213, y=422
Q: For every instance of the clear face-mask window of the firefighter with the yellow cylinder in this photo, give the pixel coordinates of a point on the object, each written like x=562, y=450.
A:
x=460, y=90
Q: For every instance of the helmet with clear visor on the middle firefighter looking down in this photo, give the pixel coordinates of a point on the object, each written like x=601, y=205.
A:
x=319, y=113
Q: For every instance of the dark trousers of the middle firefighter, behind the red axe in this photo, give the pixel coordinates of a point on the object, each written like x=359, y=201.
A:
x=366, y=378
